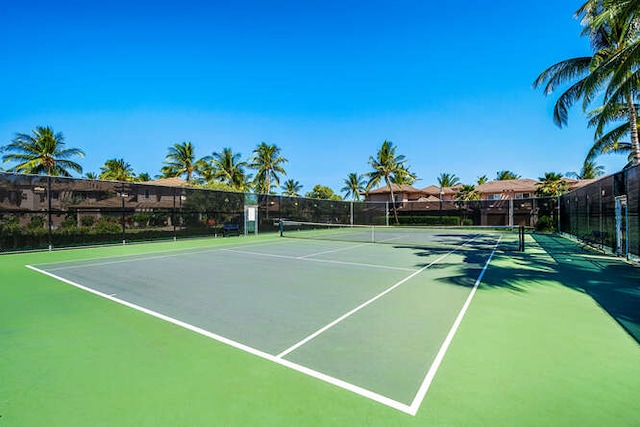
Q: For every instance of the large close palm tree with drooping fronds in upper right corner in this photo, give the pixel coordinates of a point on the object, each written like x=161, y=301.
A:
x=608, y=70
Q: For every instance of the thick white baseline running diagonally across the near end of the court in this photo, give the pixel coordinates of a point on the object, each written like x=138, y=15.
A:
x=302, y=369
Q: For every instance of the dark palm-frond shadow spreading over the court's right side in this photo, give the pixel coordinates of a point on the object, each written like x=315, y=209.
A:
x=609, y=281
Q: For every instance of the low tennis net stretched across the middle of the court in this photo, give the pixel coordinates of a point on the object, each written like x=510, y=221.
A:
x=510, y=237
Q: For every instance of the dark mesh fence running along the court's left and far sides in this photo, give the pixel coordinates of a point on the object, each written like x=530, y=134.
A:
x=38, y=212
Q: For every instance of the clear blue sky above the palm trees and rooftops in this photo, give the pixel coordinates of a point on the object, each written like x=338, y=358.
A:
x=327, y=81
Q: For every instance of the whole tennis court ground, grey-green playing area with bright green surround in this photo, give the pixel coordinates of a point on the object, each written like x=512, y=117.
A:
x=276, y=331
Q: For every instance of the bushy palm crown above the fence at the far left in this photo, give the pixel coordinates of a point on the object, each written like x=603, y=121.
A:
x=42, y=152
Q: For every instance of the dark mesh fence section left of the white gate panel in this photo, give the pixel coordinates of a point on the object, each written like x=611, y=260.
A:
x=38, y=212
